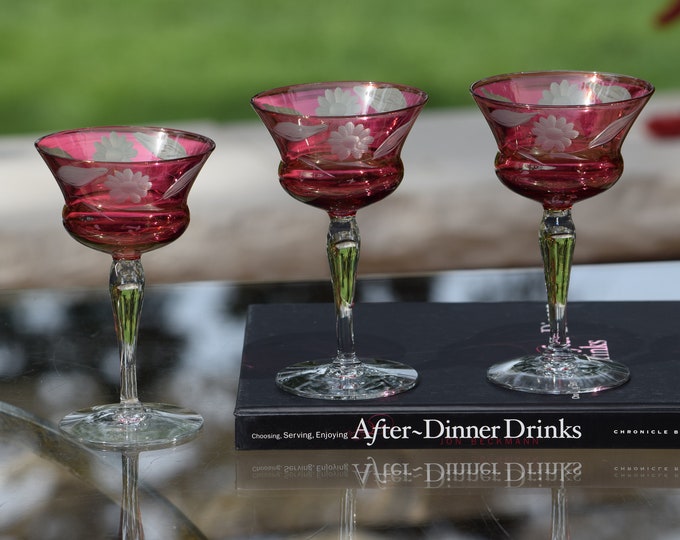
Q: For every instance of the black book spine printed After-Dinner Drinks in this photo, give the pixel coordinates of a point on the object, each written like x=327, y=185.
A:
x=460, y=430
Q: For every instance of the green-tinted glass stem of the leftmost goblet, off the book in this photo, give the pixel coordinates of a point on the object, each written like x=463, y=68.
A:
x=126, y=285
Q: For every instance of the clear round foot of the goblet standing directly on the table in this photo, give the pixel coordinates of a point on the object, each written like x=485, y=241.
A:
x=153, y=425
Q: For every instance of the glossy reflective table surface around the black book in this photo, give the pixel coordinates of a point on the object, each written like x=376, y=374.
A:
x=58, y=353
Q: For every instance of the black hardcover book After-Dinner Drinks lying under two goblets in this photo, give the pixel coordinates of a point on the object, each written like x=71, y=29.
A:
x=454, y=406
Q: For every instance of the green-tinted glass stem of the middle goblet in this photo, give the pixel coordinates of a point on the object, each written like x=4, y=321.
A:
x=342, y=246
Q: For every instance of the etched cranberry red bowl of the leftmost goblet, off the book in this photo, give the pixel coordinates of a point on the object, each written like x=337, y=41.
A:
x=126, y=189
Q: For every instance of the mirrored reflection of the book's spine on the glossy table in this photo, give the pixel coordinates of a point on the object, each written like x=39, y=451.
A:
x=442, y=469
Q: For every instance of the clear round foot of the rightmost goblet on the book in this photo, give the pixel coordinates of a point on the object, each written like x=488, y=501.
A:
x=575, y=374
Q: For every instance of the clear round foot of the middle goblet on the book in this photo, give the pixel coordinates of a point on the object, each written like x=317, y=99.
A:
x=371, y=378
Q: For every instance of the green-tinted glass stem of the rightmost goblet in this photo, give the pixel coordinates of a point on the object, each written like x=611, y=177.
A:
x=557, y=237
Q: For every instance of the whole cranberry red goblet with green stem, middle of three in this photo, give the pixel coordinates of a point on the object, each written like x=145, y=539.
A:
x=340, y=145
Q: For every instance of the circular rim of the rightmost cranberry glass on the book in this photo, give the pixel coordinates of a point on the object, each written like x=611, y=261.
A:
x=474, y=87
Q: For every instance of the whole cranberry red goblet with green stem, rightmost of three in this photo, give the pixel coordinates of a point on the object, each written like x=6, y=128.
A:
x=559, y=137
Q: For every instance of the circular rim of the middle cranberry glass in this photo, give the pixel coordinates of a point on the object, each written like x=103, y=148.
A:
x=329, y=85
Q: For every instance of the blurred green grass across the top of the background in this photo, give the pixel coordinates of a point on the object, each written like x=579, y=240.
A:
x=71, y=63
